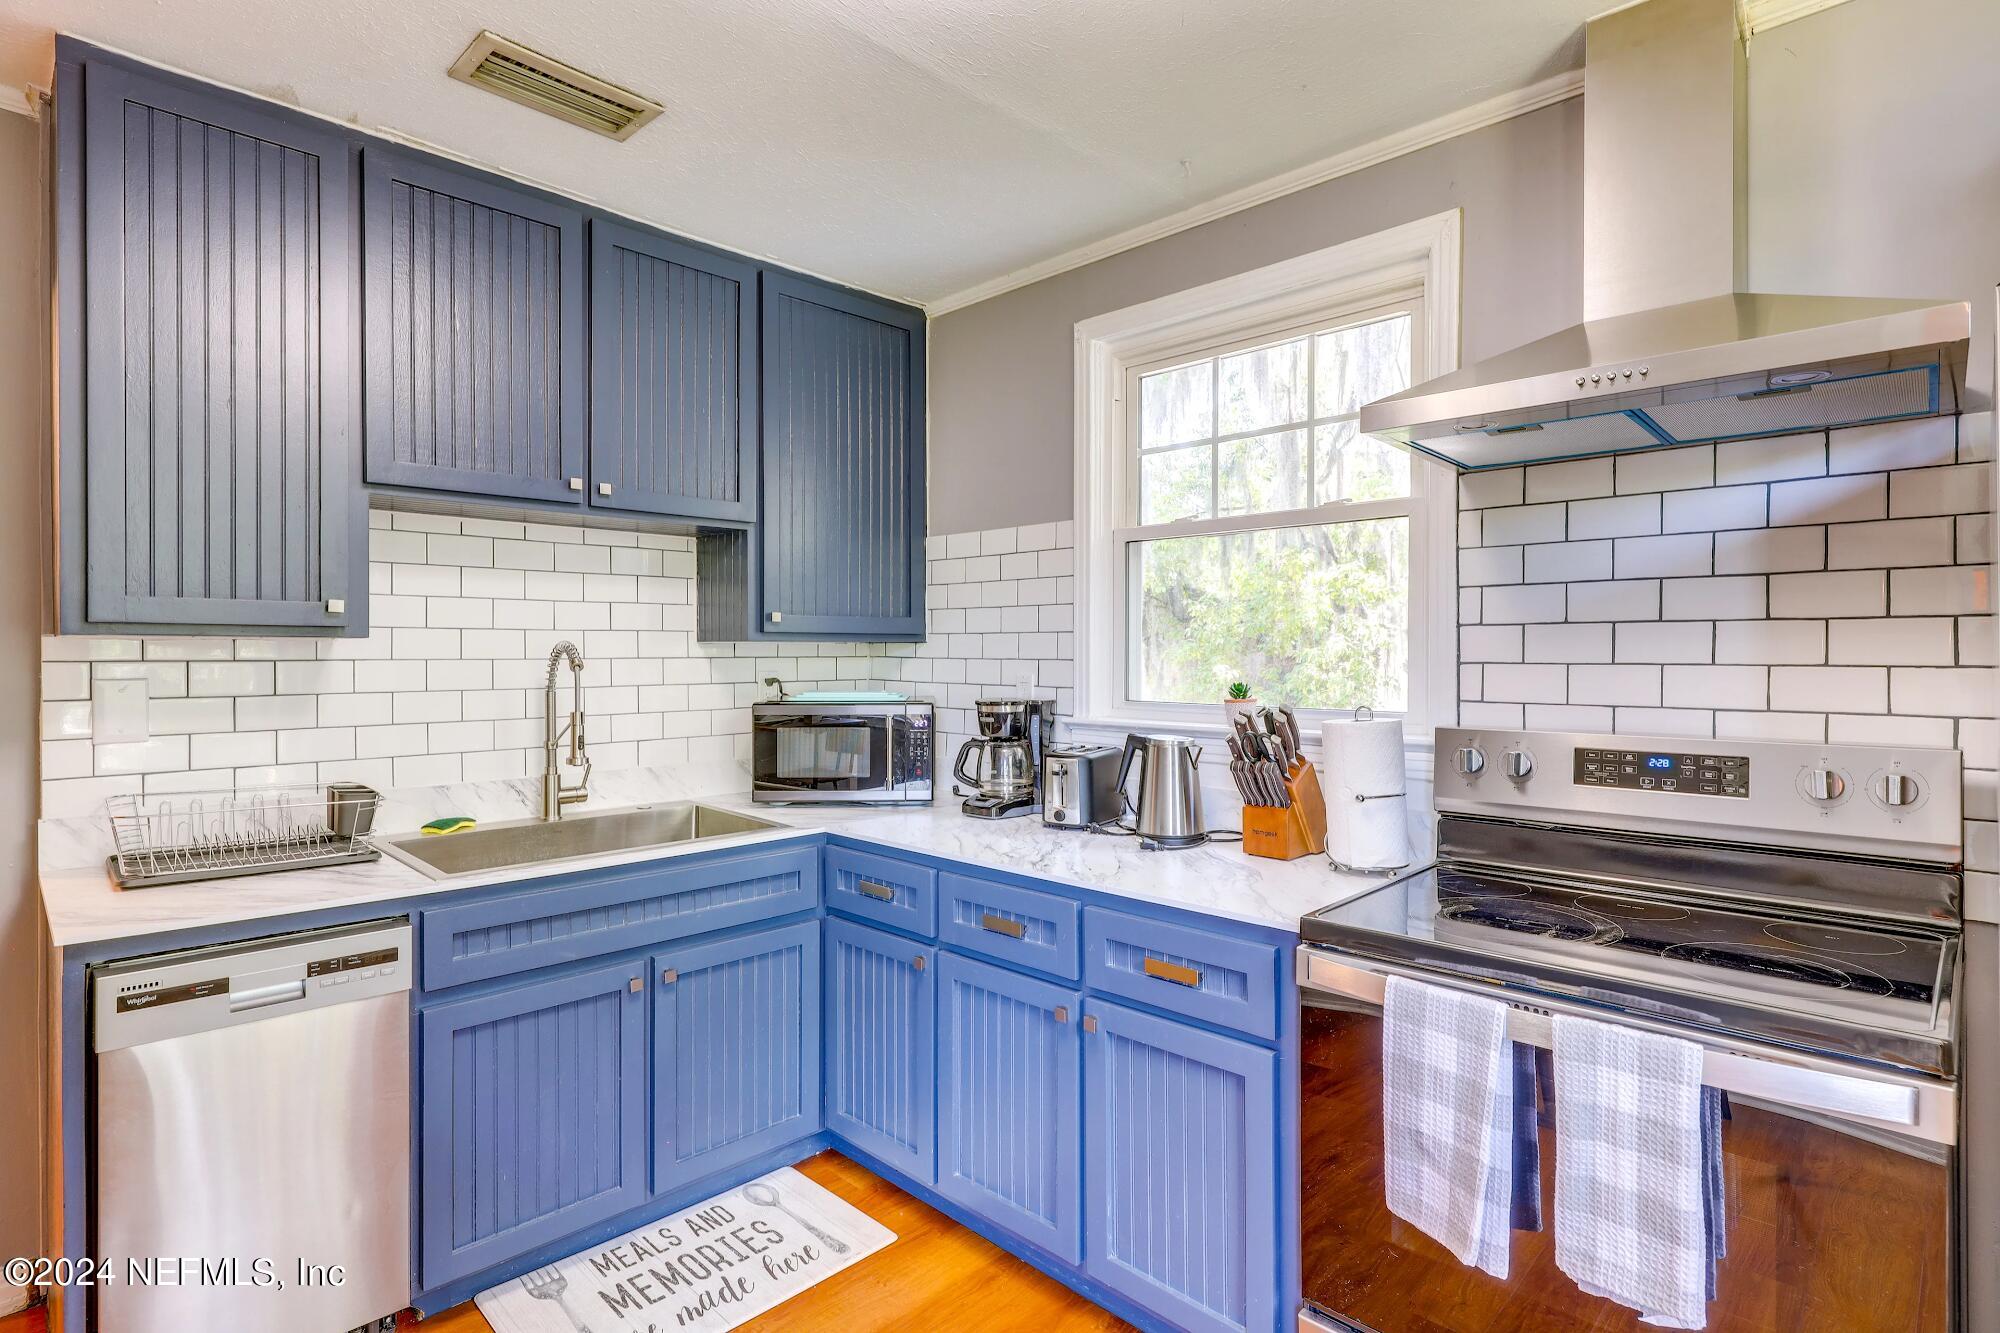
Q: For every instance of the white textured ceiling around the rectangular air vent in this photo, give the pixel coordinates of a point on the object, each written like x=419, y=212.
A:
x=909, y=147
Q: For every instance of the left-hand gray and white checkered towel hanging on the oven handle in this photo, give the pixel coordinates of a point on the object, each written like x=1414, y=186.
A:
x=1449, y=1120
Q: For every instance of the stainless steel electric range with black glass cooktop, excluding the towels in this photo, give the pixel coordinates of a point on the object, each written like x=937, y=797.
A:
x=1795, y=910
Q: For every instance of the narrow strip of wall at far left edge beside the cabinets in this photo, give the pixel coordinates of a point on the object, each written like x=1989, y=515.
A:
x=23, y=531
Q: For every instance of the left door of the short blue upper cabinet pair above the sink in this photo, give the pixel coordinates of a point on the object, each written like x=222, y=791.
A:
x=475, y=333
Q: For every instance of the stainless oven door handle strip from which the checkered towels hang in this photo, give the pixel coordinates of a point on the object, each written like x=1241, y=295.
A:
x=1783, y=1078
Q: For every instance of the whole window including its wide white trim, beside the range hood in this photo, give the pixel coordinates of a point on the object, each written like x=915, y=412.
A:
x=1233, y=521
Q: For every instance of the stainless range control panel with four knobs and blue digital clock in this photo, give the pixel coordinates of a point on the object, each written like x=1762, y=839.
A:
x=1875, y=800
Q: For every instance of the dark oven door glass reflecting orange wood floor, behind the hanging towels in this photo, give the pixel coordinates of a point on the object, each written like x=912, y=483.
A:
x=1831, y=1226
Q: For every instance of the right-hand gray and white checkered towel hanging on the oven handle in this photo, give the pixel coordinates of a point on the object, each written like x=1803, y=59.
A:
x=1629, y=1170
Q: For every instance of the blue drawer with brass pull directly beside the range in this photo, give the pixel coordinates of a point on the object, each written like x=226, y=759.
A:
x=1199, y=974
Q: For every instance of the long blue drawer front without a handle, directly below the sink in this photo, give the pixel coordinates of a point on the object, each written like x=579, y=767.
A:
x=621, y=910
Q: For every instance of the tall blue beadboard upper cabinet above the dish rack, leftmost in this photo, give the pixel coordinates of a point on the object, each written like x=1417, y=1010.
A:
x=205, y=271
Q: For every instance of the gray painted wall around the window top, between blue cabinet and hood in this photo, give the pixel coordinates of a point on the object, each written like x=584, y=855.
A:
x=1001, y=423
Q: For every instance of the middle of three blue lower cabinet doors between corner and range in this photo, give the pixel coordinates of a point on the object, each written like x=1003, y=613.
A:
x=1009, y=1102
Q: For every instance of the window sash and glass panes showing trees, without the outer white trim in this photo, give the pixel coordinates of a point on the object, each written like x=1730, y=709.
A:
x=1249, y=557
